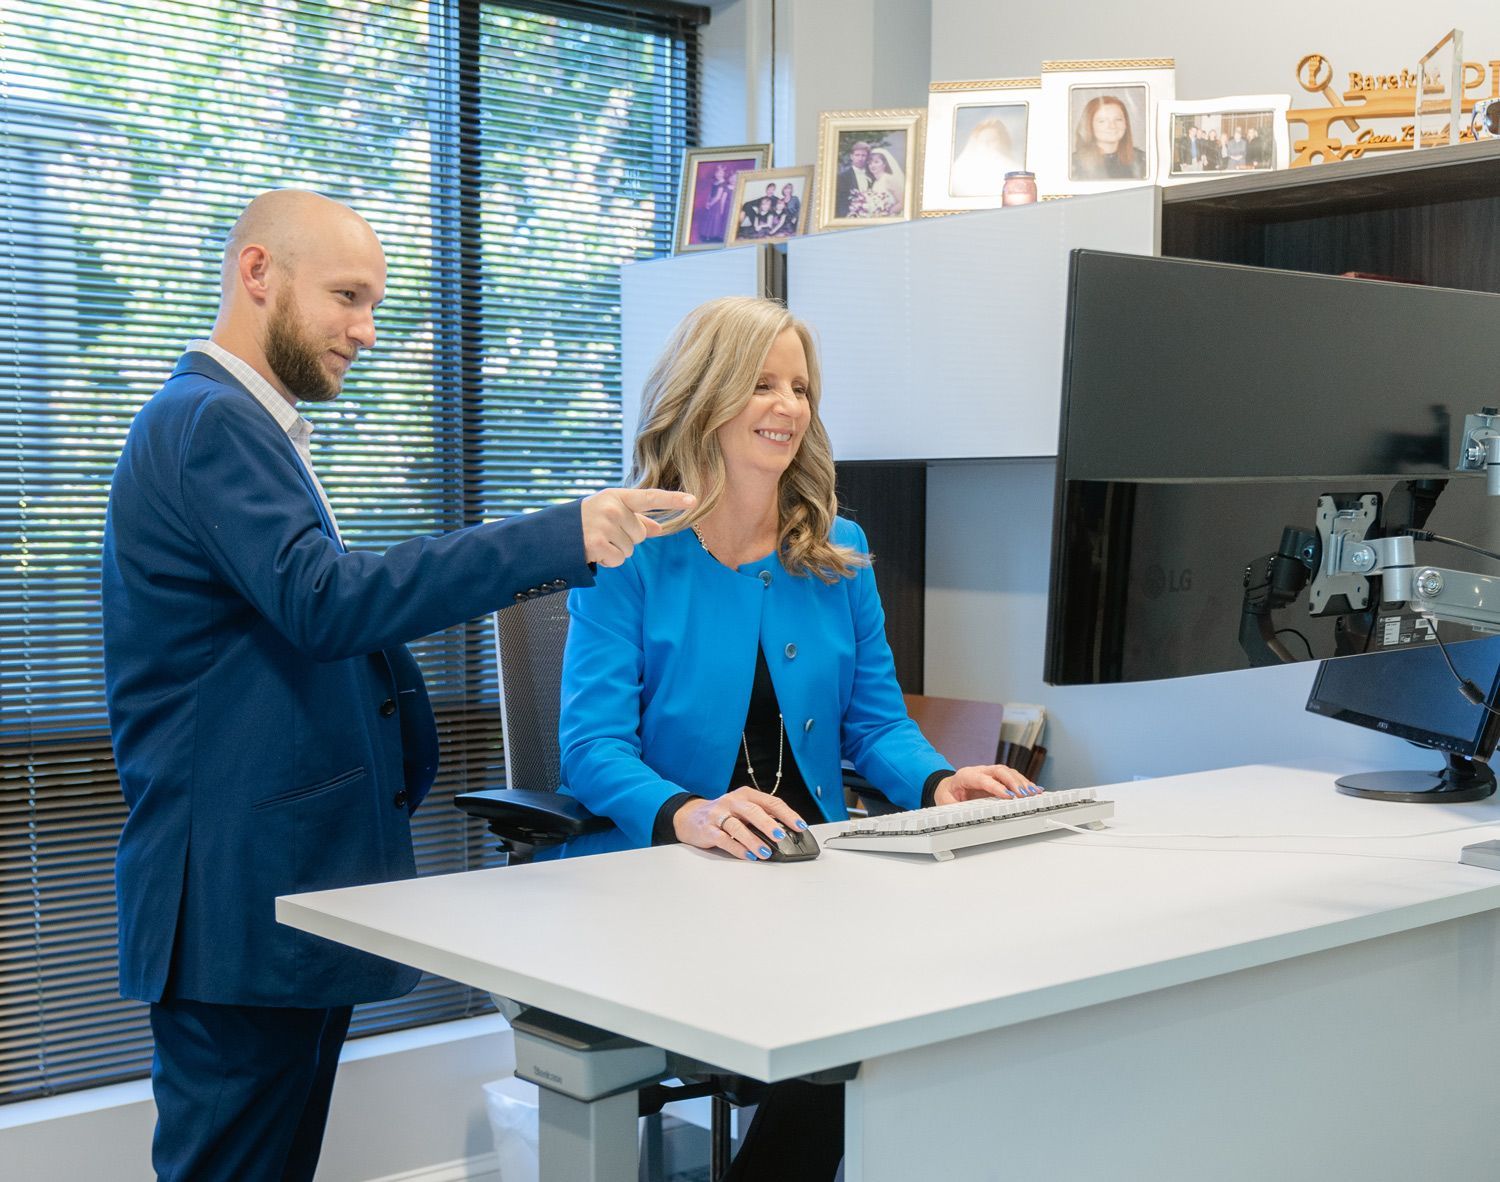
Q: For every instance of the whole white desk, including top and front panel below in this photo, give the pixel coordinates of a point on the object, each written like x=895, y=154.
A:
x=1055, y=1009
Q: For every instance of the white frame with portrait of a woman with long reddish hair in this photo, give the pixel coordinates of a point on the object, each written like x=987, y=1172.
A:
x=1102, y=124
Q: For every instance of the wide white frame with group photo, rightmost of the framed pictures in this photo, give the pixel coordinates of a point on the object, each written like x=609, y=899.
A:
x=1184, y=155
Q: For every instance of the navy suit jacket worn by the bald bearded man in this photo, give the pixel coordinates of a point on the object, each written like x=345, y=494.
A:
x=271, y=730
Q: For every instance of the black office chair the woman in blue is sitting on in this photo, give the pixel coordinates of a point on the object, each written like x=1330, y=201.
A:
x=529, y=815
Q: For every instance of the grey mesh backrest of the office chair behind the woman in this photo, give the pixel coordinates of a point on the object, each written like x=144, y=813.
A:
x=529, y=646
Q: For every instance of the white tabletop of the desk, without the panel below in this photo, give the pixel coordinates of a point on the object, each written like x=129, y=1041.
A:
x=782, y=970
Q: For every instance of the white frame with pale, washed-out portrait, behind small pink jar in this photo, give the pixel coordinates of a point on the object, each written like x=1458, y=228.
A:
x=977, y=133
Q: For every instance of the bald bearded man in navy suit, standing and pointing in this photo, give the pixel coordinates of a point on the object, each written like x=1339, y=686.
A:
x=271, y=728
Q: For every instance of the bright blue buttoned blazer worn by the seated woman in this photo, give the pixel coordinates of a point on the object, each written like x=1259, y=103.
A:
x=659, y=668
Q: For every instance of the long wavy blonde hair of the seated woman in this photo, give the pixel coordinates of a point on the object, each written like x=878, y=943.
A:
x=703, y=380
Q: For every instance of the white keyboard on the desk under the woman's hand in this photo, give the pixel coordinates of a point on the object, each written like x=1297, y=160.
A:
x=944, y=829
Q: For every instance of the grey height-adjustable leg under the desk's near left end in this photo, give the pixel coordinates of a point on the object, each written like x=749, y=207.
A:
x=589, y=1103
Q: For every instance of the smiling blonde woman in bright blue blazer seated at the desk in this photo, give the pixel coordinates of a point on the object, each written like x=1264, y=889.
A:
x=715, y=682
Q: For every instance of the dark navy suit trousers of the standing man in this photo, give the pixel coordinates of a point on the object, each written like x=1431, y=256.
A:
x=242, y=1091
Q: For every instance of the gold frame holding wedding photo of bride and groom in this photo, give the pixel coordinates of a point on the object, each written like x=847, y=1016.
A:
x=854, y=194
